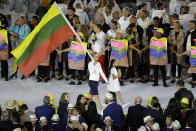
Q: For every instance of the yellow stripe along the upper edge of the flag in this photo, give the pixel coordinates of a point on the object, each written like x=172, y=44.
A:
x=23, y=46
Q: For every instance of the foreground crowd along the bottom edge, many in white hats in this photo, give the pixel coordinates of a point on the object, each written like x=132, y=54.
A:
x=179, y=115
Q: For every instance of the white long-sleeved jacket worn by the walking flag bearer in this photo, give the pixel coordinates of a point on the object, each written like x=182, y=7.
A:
x=95, y=71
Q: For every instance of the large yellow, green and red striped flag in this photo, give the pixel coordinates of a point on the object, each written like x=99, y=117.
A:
x=51, y=32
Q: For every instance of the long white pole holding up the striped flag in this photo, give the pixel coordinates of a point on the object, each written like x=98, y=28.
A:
x=74, y=32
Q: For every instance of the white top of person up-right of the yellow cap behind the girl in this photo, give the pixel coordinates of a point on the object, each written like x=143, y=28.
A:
x=123, y=24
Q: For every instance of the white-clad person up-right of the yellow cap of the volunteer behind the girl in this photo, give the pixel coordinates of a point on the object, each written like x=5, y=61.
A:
x=124, y=21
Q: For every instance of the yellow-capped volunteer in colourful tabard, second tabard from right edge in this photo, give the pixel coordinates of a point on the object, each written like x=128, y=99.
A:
x=158, y=55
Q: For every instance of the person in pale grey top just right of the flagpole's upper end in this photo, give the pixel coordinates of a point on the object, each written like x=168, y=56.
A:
x=82, y=15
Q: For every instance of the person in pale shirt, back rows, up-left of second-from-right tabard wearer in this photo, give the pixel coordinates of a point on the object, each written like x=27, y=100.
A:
x=144, y=21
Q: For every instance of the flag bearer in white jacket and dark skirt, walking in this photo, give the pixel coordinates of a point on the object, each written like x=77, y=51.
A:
x=95, y=71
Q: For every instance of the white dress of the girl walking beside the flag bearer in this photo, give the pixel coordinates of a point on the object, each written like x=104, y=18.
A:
x=113, y=85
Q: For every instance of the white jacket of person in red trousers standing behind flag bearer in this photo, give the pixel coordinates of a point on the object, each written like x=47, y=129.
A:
x=99, y=44
